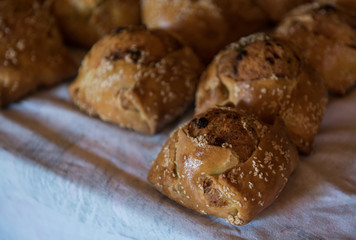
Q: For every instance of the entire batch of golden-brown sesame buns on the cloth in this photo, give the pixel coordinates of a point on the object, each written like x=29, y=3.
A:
x=259, y=101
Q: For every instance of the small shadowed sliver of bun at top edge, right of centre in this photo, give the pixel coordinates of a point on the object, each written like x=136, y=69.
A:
x=275, y=9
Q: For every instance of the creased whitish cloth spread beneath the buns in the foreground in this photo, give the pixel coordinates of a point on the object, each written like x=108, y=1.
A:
x=65, y=175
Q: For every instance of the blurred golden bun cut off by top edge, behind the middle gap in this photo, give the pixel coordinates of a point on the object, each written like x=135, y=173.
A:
x=205, y=25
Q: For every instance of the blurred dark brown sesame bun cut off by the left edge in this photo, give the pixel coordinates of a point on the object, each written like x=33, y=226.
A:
x=31, y=50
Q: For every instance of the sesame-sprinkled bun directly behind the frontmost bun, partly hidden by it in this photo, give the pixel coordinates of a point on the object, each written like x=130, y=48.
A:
x=266, y=76
